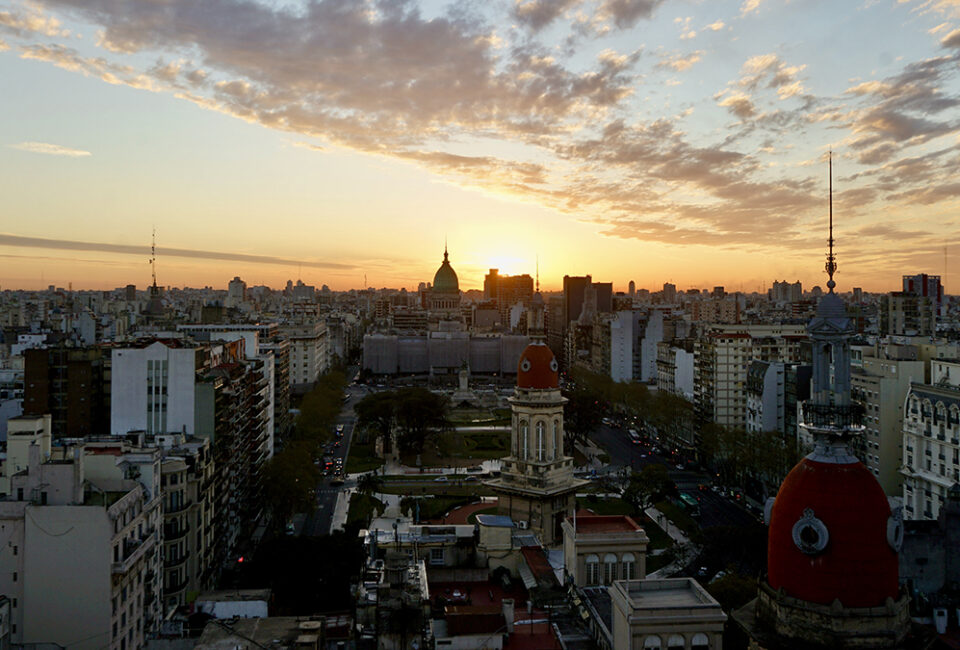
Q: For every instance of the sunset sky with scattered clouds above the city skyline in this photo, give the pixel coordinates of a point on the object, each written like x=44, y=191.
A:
x=346, y=142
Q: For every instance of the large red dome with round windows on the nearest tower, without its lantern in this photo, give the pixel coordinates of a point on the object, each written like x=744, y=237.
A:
x=841, y=515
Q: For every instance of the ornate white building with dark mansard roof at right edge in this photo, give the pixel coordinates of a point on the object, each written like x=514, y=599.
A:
x=931, y=441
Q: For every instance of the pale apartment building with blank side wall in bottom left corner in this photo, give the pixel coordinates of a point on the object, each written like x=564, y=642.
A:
x=83, y=555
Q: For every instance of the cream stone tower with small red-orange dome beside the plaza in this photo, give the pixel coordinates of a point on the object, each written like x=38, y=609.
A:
x=536, y=487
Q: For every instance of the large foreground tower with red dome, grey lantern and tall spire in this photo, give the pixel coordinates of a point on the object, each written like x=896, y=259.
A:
x=832, y=567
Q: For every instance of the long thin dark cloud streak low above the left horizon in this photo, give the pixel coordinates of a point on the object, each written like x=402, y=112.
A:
x=19, y=241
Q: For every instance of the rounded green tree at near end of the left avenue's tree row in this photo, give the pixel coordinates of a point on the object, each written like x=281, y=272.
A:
x=289, y=479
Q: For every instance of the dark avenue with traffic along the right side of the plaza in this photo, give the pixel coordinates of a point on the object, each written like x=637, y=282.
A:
x=715, y=510
